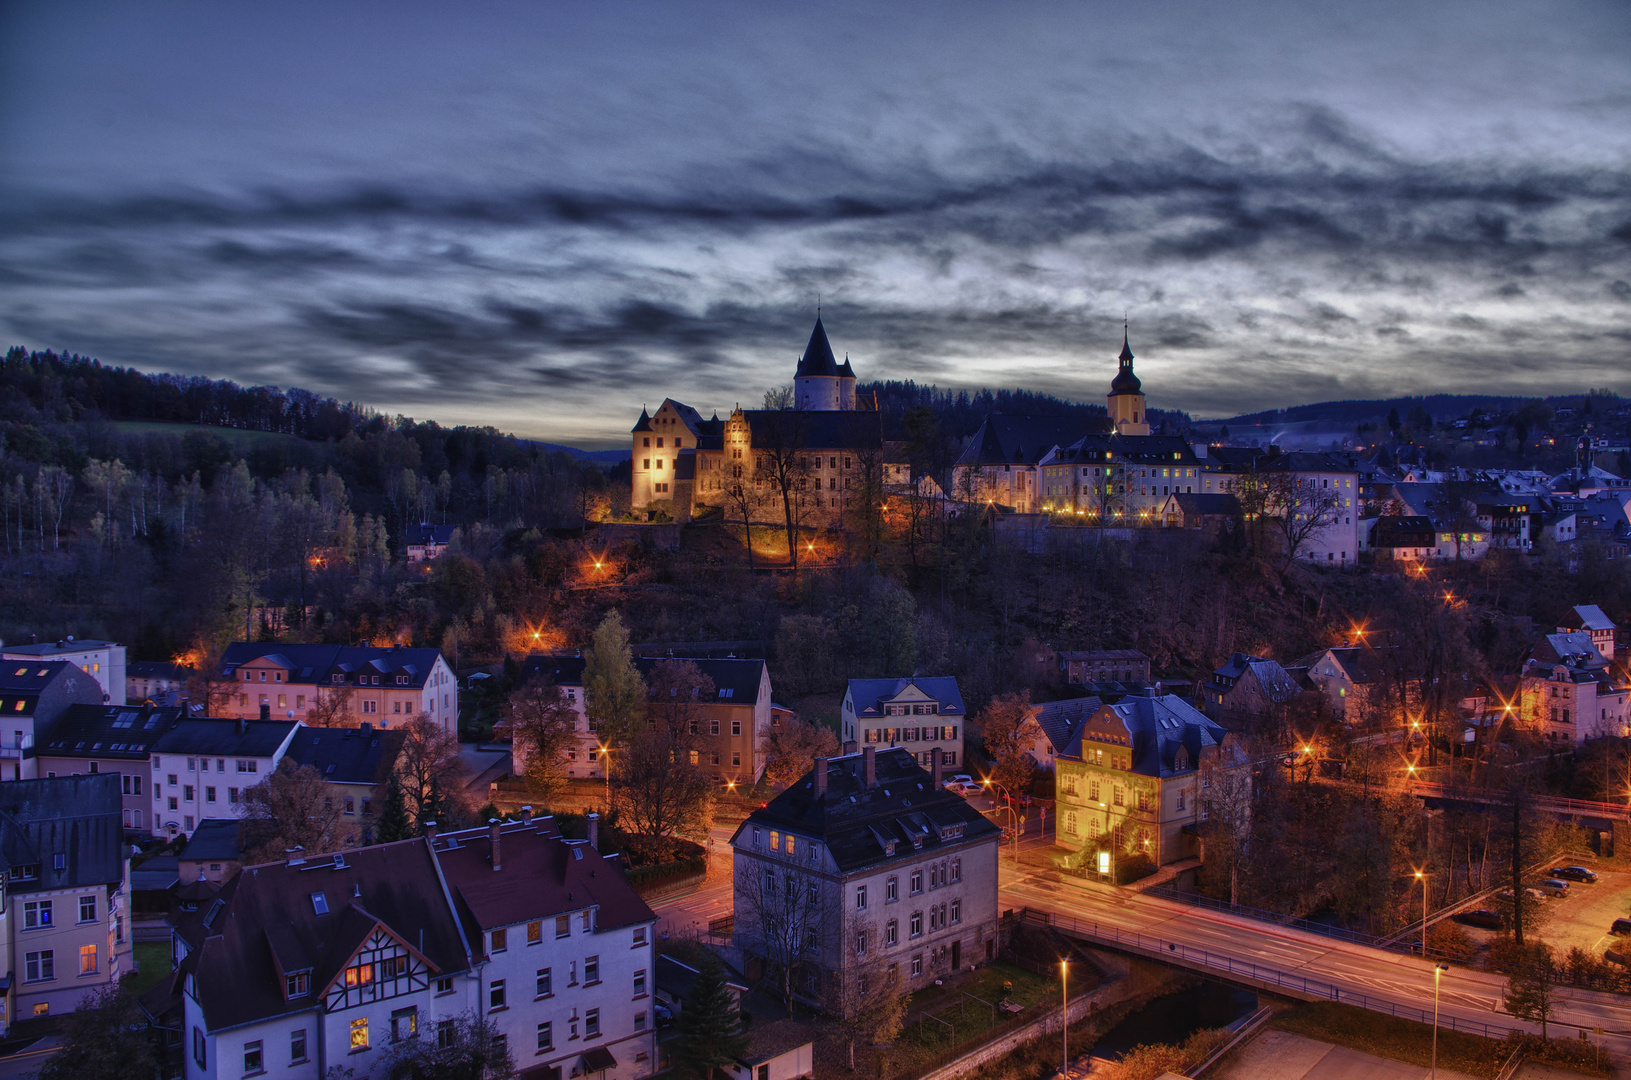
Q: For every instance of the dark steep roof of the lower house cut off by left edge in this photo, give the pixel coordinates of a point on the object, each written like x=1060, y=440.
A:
x=71, y=817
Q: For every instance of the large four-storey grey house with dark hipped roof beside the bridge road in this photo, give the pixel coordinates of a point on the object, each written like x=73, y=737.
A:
x=873, y=870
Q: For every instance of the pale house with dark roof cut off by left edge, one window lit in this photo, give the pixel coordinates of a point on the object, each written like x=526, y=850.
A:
x=64, y=923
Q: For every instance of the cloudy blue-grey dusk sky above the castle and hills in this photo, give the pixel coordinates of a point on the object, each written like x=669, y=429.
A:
x=546, y=216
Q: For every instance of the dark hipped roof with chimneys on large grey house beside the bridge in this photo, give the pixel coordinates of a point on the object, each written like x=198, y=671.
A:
x=855, y=821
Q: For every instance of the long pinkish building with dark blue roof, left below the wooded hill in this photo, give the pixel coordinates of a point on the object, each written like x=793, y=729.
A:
x=374, y=686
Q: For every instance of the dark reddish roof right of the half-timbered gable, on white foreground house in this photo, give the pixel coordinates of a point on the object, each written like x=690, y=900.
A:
x=542, y=877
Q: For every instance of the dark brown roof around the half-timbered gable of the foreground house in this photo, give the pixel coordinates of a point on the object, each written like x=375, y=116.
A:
x=268, y=911
